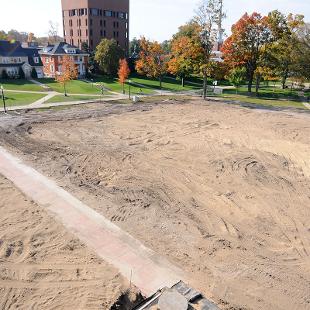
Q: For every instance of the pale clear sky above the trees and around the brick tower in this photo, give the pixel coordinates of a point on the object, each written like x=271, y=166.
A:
x=156, y=19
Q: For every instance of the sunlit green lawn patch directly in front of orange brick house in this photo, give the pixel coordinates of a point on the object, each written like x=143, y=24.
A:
x=73, y=87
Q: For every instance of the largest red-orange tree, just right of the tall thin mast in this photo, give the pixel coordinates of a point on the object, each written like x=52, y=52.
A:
x=247, y=43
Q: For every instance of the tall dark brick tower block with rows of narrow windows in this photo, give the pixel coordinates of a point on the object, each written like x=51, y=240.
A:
x=92, y=20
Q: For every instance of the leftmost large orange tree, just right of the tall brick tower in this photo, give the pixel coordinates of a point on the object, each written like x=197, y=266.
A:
x=152, y=60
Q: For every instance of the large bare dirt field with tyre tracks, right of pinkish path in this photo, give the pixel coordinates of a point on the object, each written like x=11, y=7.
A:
x=222, y=191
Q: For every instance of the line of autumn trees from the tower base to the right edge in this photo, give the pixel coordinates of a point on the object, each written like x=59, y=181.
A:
x=260, y=48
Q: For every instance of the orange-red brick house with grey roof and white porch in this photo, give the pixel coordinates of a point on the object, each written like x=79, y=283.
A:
x=52, y=56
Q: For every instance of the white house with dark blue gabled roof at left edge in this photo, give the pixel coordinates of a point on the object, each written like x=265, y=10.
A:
x=14, y=57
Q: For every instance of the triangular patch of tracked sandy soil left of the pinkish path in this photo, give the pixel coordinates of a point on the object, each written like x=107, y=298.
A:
x=44, y=267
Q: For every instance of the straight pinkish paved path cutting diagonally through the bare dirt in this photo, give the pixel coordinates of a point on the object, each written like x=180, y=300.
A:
x=147, y=270
